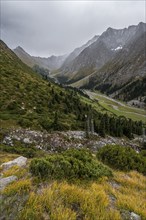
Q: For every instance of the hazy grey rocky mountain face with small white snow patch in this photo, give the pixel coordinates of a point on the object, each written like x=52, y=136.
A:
x=99, y=52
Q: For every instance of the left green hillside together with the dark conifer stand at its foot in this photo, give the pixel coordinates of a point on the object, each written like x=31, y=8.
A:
x=29, y=101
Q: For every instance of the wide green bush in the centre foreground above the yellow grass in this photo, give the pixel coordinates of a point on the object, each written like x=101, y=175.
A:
x=71, y=164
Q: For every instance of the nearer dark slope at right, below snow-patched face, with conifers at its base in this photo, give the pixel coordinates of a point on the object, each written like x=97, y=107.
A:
x=124, y=76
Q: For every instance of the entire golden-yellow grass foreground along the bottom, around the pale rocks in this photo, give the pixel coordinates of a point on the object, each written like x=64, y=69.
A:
x=104, y=199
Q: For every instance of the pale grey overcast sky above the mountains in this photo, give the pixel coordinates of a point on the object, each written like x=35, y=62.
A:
x=44, y=28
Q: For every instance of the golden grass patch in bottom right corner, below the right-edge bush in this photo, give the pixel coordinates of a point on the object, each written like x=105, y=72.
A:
x=131, y=195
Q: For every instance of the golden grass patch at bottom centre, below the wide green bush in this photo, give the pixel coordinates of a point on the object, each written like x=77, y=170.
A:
x=63, y=201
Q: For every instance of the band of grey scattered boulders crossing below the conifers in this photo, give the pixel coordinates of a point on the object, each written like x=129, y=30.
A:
x=56, y=141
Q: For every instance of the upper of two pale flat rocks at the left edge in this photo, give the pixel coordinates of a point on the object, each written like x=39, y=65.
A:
x=20, y=161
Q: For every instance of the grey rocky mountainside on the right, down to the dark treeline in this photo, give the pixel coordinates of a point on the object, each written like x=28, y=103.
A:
x=112, y=57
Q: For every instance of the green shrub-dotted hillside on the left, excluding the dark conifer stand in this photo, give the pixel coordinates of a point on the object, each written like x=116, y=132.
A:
x=29, y=101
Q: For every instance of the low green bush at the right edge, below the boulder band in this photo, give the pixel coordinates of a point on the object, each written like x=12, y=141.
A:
x=122, y=158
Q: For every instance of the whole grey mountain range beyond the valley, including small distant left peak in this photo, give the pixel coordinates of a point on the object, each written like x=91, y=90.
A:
x=113, y=62
